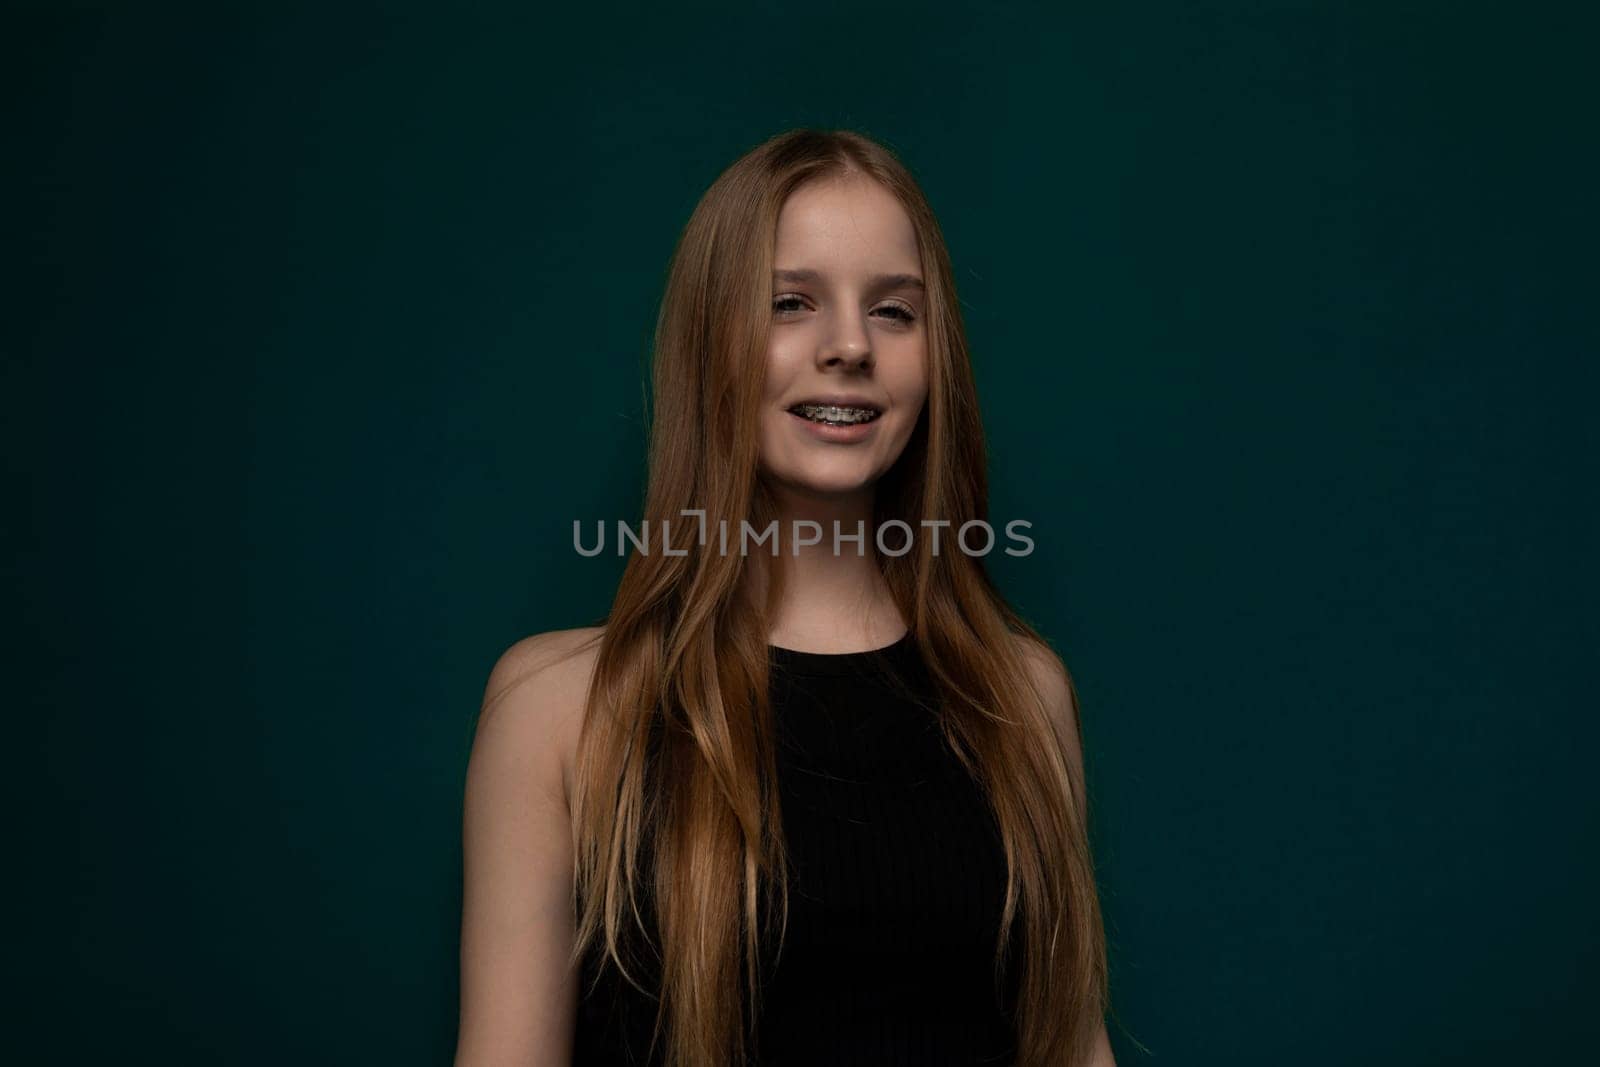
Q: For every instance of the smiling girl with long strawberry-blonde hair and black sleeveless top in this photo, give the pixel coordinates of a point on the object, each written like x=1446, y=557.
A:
x=802, y=799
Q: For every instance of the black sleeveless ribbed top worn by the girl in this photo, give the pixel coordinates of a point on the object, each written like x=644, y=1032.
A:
x=895, y=892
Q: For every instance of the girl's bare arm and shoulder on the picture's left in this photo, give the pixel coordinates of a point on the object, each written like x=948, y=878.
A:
x=518, y=996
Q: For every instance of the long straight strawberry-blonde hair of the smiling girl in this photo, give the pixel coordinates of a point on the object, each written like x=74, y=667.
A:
x=679, y=855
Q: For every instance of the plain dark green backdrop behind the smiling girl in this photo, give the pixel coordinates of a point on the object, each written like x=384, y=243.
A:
x=327, y=322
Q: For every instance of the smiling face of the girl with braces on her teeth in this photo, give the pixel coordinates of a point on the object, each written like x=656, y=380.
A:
x=847, y=366
